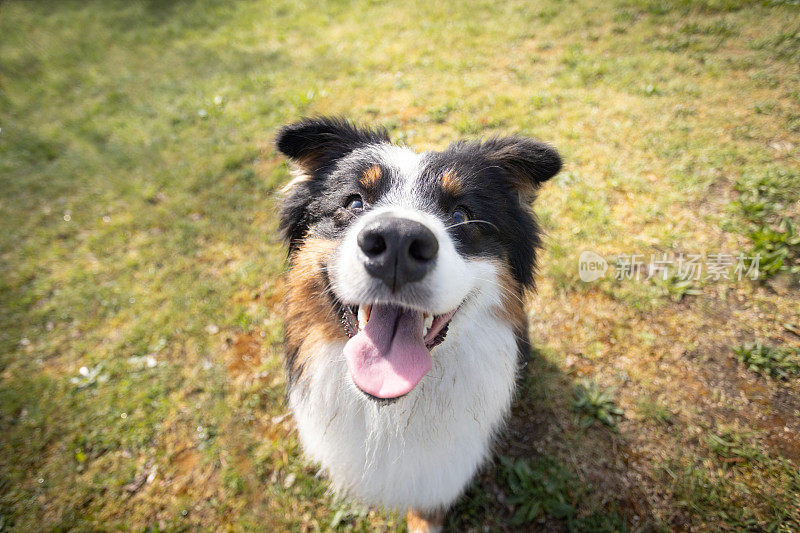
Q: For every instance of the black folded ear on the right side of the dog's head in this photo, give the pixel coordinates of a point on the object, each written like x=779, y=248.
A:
x=527, y=163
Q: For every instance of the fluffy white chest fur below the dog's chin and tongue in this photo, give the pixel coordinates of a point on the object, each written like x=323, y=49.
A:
x=422, y=450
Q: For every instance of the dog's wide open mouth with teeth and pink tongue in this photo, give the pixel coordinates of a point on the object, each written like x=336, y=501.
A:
x=389, y=350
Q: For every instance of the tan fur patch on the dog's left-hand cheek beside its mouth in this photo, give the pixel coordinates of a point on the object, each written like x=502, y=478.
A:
x=310, y=319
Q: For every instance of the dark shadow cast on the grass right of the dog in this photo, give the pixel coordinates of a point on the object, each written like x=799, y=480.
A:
x=549, y=473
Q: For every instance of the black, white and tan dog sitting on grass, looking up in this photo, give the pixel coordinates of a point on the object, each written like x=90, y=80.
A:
x=405, y=321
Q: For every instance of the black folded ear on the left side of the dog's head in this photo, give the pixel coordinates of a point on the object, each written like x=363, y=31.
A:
x=315, y=143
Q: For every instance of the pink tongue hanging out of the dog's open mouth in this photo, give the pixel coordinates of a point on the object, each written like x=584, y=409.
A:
x=388, y=357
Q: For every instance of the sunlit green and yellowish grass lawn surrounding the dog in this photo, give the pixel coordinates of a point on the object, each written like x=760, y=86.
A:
x=141, y=382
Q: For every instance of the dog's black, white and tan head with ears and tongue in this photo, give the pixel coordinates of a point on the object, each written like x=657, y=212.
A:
x=387, y=246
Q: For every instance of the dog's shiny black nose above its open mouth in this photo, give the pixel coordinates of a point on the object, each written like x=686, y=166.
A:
x=397, y=250
